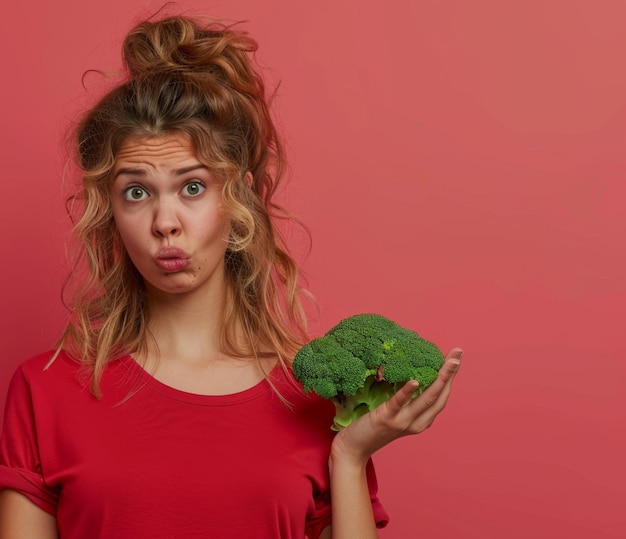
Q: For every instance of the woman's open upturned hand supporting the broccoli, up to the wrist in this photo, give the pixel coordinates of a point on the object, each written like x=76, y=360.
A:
x=399, y=416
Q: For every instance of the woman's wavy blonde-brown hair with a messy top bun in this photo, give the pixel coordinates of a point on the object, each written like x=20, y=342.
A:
x=183, y=77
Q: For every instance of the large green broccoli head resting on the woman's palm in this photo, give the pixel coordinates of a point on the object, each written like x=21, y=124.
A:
x=362, y=361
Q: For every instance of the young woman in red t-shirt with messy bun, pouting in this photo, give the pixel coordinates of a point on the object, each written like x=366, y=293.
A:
x=168, y=408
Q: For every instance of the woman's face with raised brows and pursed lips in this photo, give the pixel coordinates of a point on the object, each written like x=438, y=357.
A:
x=167, y=207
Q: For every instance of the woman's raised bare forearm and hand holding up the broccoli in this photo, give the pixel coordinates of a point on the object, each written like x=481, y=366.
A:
x=354, y=445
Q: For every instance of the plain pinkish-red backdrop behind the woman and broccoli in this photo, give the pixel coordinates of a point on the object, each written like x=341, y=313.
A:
x=461, y=166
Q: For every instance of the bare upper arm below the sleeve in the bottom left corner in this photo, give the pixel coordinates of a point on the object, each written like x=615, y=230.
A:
x=22, y=519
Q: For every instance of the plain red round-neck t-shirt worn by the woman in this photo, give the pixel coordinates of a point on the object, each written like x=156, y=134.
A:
x=150, y=461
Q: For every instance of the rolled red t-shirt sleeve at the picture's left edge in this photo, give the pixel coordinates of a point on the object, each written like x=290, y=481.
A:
x=20, y=463
